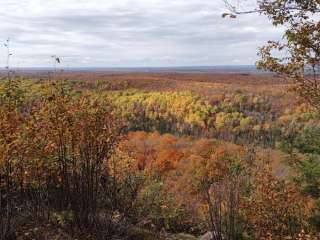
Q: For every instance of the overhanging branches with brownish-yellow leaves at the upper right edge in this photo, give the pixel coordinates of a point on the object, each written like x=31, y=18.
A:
x=298, y=55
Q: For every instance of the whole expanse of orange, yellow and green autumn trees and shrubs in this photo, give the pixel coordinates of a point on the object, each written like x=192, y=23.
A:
x=169, y=156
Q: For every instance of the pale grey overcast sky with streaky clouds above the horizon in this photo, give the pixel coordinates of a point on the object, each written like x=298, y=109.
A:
x=129, y=33
